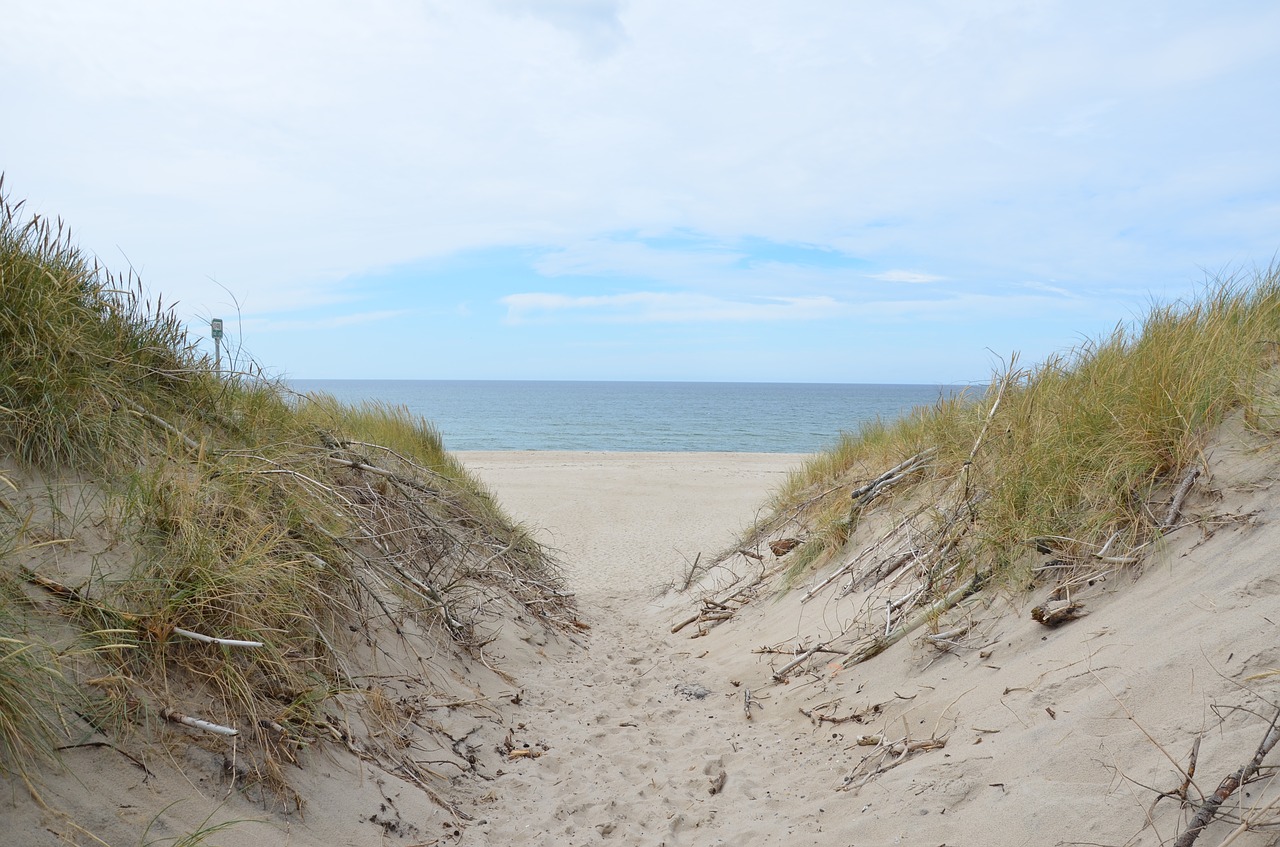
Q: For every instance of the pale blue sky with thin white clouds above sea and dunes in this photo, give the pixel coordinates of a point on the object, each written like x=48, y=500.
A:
x=821, y=191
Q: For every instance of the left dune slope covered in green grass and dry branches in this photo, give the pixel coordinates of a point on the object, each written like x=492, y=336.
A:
x=177, y=543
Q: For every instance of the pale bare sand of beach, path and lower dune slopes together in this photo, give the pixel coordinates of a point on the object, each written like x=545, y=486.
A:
x=1039, y=736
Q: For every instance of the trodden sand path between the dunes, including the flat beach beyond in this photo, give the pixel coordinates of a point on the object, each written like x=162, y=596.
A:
x=634, y=753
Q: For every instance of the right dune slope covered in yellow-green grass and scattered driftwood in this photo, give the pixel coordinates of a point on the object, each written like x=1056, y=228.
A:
x=1054, y=475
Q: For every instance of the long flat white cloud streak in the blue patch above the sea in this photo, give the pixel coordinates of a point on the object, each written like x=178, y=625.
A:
x=655, y=308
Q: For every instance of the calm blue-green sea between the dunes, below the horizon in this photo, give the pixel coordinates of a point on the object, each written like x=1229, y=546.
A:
x=740, y=418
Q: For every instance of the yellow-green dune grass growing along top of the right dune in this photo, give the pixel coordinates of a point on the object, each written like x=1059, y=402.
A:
x=1075, y=456
